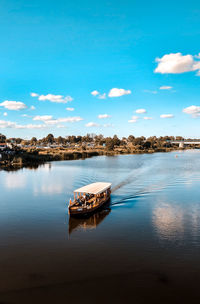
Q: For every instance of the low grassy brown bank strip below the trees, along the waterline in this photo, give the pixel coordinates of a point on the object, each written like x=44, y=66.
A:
x=33, y=158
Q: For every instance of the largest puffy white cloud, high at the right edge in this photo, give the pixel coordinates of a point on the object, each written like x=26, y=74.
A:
x=176, y=63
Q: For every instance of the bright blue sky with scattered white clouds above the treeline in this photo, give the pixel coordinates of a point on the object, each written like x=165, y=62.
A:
x=65, y=50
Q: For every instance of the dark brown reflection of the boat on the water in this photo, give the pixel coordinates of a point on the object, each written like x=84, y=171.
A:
x=87, y=223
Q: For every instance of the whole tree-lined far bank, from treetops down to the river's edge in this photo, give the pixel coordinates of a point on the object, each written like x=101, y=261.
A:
x=16, y=153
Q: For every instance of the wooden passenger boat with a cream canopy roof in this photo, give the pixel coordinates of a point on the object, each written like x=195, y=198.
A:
x=89, y=199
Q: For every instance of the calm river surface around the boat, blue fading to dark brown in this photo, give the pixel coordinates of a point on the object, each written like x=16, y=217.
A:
x=144, y=247
